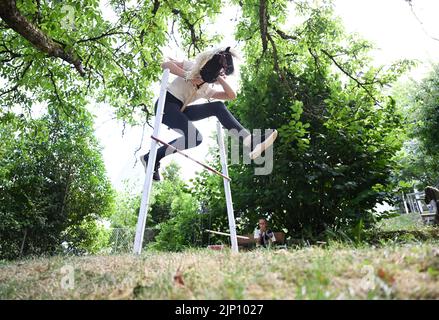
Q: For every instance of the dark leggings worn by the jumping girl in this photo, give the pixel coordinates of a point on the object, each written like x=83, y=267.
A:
x=181, y=122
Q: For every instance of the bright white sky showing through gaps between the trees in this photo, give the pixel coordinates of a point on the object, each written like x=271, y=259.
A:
x=396, y=30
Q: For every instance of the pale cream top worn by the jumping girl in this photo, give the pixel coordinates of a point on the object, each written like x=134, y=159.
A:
x=185, y=91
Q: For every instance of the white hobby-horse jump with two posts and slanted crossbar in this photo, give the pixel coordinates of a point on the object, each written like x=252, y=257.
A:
x=141, y=221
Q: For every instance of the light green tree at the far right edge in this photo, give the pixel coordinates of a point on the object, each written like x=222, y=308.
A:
x=418, y=161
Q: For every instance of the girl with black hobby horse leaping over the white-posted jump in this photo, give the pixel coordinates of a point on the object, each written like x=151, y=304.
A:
x=192, y=83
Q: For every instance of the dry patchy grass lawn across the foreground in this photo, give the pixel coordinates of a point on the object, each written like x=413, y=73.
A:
x=391, y=270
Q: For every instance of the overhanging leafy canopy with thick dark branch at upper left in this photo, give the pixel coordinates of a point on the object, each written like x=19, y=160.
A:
x=69, y=52
